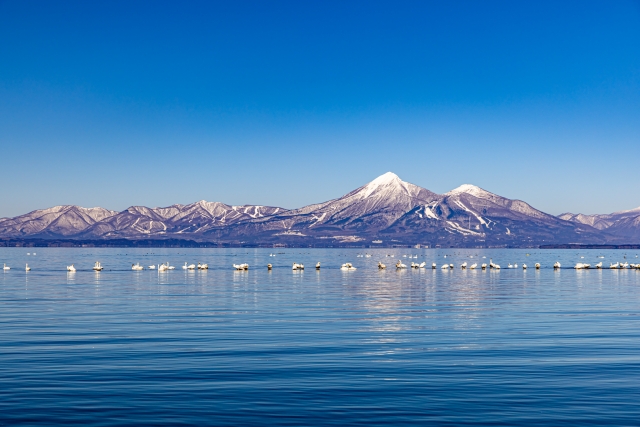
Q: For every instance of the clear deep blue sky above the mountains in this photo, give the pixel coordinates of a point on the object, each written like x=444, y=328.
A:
x=116, y=103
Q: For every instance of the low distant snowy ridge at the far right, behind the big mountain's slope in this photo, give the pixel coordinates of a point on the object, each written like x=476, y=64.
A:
x=623, y=224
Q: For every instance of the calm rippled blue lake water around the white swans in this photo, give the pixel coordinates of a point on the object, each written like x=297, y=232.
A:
x=327, y=347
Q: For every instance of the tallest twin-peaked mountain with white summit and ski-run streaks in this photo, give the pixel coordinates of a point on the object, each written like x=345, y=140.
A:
x=390, y=208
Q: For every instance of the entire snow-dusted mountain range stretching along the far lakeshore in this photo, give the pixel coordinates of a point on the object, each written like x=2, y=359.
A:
x=386, y=211
